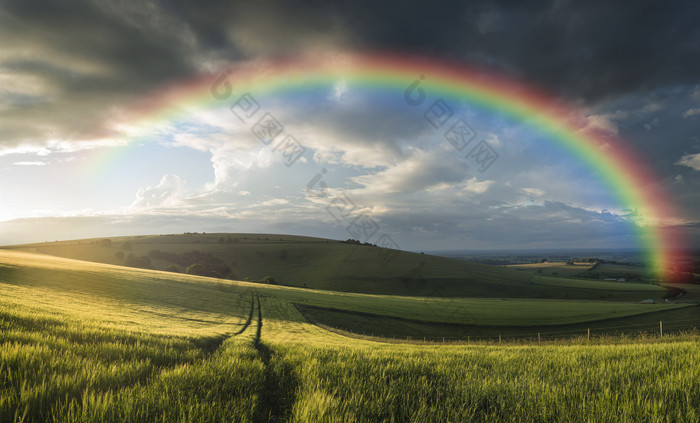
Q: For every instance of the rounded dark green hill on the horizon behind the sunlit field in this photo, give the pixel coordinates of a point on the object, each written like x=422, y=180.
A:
x=332, y=265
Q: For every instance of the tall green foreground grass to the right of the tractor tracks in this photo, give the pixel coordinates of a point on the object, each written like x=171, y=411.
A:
x=635, y=382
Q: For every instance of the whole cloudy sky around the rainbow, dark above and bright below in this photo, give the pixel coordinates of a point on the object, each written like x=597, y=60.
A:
x=73, y=164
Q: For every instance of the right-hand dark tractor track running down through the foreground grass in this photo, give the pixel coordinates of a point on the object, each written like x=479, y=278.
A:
x=279, y=385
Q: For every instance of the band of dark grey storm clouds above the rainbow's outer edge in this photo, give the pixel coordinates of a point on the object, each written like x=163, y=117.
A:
x=109, y=52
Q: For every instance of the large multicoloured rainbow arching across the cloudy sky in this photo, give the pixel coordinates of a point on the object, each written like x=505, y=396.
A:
x=628, y=177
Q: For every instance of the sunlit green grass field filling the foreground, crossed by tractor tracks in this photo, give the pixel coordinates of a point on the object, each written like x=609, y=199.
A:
x=102, y=347
